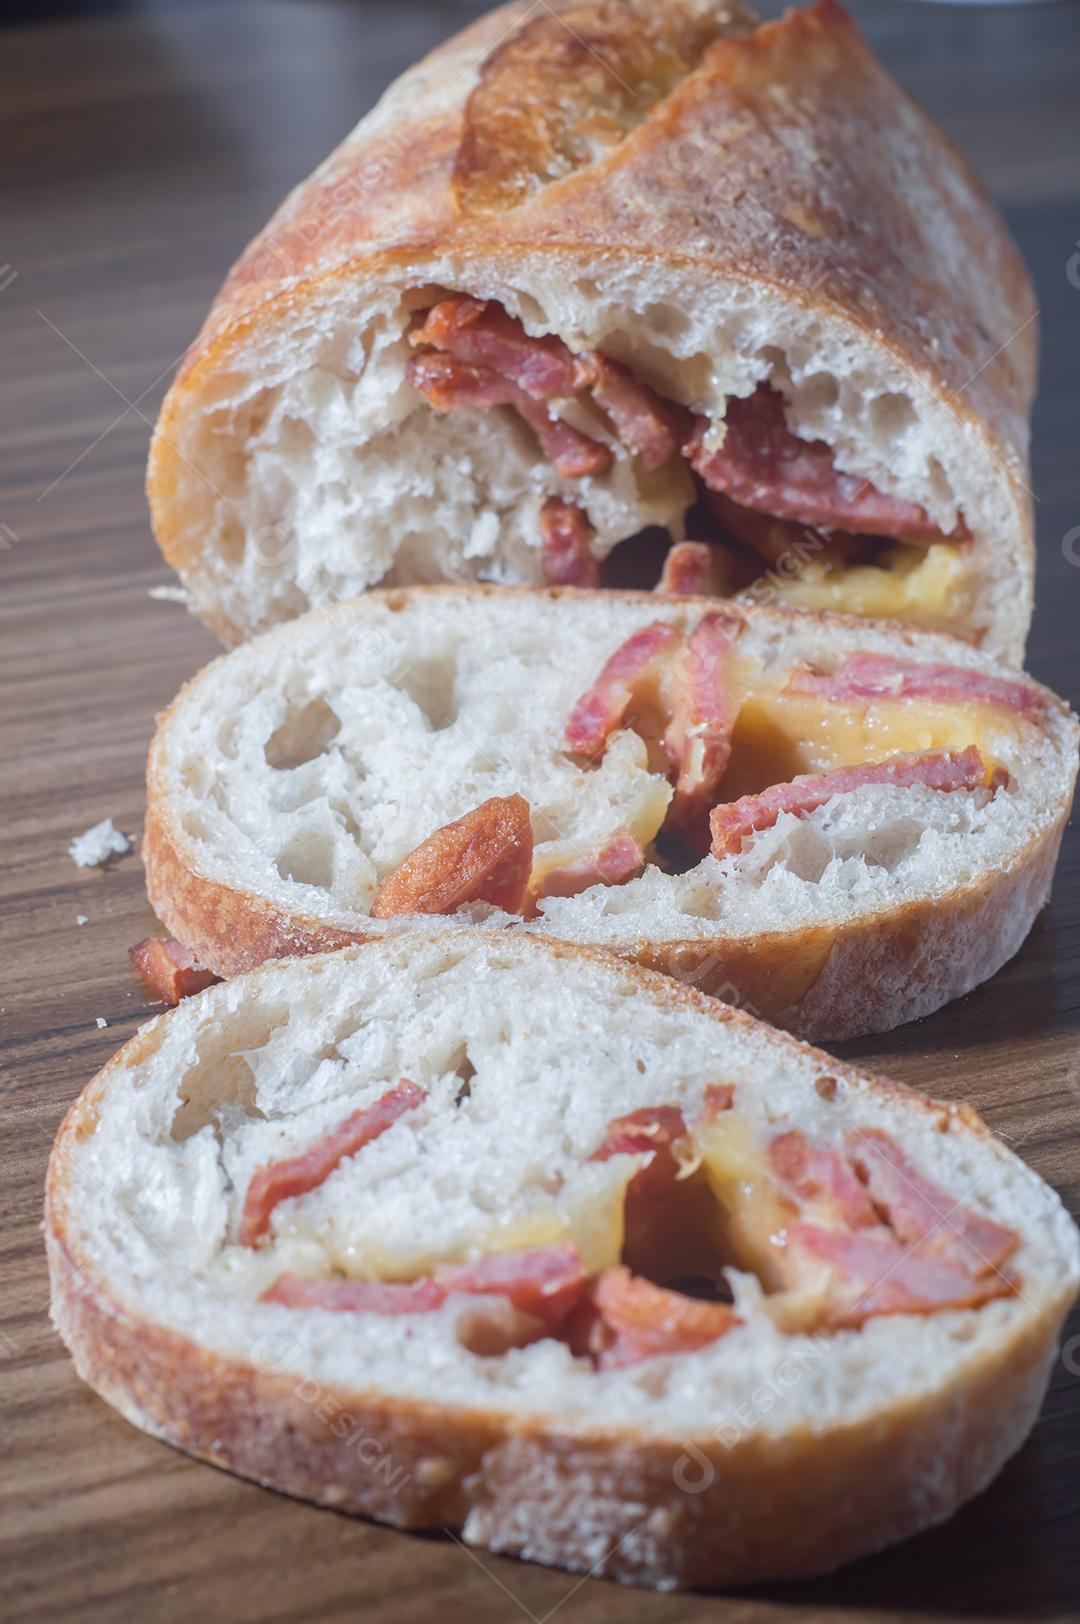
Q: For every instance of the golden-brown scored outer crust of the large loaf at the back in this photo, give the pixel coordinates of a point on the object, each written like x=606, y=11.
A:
x=676, y=137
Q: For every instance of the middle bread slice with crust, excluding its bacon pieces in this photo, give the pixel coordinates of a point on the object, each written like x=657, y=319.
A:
x=293, y=777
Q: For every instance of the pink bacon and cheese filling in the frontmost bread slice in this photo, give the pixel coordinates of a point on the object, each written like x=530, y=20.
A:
x=834, y=1237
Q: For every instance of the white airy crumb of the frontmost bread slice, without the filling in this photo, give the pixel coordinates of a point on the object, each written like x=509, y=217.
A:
x=153, y=1164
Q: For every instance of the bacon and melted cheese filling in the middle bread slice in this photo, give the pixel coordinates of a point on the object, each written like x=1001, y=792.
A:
x=727, y=756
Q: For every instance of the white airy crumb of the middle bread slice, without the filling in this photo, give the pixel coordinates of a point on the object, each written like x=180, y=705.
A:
x=306, y=766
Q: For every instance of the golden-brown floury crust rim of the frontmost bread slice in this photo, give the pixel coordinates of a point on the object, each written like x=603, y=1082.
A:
x=717, y=1510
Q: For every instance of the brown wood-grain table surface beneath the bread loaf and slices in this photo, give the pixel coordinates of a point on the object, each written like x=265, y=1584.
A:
x=140, y=152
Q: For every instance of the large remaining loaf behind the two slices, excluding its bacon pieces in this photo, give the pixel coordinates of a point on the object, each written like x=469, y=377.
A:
x=712, y=204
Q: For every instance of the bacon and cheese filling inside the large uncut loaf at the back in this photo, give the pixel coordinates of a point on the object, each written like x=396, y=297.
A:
x=772, y=517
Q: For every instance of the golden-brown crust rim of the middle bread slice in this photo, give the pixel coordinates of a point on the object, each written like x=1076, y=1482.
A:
x=824, y=983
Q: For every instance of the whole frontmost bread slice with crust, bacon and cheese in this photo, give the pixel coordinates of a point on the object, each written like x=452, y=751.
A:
x=478, y=1232
